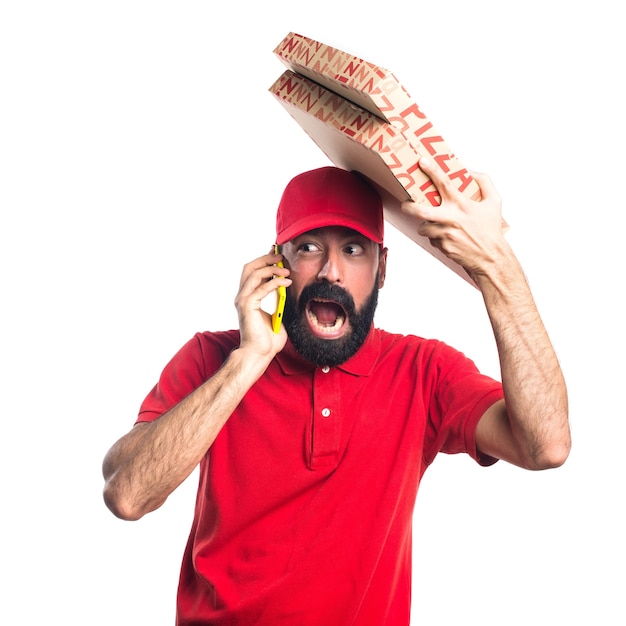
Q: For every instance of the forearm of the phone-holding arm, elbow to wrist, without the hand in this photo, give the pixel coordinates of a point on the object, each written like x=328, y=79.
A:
x=147, y=465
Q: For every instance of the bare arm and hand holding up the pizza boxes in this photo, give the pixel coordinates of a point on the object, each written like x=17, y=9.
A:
x=530, y=428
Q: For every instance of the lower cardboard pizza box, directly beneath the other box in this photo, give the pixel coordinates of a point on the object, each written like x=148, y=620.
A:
x=356, y=139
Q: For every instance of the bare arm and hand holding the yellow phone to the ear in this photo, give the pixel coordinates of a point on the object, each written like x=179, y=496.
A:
x=148, y=463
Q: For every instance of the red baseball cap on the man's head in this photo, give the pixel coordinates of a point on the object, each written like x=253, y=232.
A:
x=329, y=196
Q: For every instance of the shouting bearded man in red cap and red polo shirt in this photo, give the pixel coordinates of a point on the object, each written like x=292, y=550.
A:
x=312, y=441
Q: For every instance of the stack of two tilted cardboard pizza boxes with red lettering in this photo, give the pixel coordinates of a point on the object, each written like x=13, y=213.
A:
x=363, y=119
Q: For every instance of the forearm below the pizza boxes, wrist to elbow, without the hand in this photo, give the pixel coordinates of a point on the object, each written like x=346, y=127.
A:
x=534, y=387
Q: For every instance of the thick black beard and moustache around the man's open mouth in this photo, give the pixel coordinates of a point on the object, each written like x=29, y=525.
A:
x=328, y=352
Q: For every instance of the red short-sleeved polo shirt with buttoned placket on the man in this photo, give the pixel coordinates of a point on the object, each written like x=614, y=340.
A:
x=304, y=508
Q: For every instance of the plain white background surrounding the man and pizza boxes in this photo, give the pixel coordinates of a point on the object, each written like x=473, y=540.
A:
x=141, y=161
